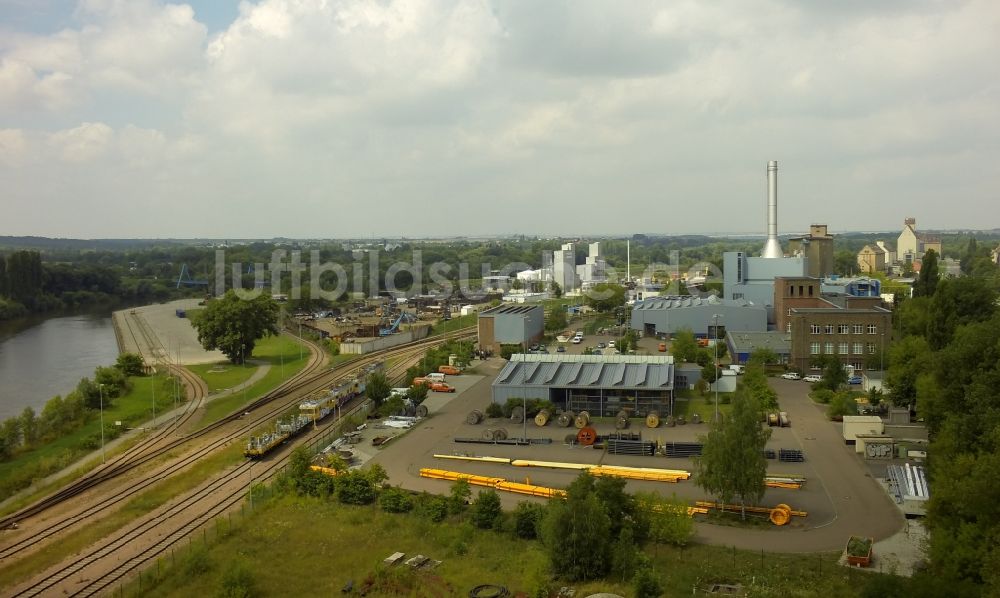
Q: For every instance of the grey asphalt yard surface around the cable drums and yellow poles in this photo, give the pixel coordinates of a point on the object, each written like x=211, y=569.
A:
x=840, y=496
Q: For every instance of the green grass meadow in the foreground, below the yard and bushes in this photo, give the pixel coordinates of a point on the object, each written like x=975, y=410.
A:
x=322, y=545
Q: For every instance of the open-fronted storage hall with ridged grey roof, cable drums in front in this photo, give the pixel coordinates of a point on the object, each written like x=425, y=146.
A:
x=603, y=385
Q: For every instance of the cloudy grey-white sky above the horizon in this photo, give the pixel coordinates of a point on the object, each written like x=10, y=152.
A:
x=423, y=118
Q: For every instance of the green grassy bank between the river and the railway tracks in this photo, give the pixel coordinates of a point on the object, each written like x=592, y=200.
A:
x=132, y=409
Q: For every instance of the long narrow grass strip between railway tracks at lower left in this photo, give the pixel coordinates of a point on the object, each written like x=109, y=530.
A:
x=136, y=507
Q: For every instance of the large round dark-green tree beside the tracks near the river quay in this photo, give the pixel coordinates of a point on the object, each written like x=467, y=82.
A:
x=234, y=325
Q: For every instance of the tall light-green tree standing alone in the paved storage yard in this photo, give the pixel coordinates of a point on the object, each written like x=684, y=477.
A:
x=732, y=465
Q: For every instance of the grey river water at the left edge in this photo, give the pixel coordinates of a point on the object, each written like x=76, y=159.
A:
x=44, y=357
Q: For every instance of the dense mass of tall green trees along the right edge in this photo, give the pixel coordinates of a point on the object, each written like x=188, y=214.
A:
x=947, y=362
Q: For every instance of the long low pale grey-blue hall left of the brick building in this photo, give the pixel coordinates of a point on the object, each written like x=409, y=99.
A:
x=668, y=315
